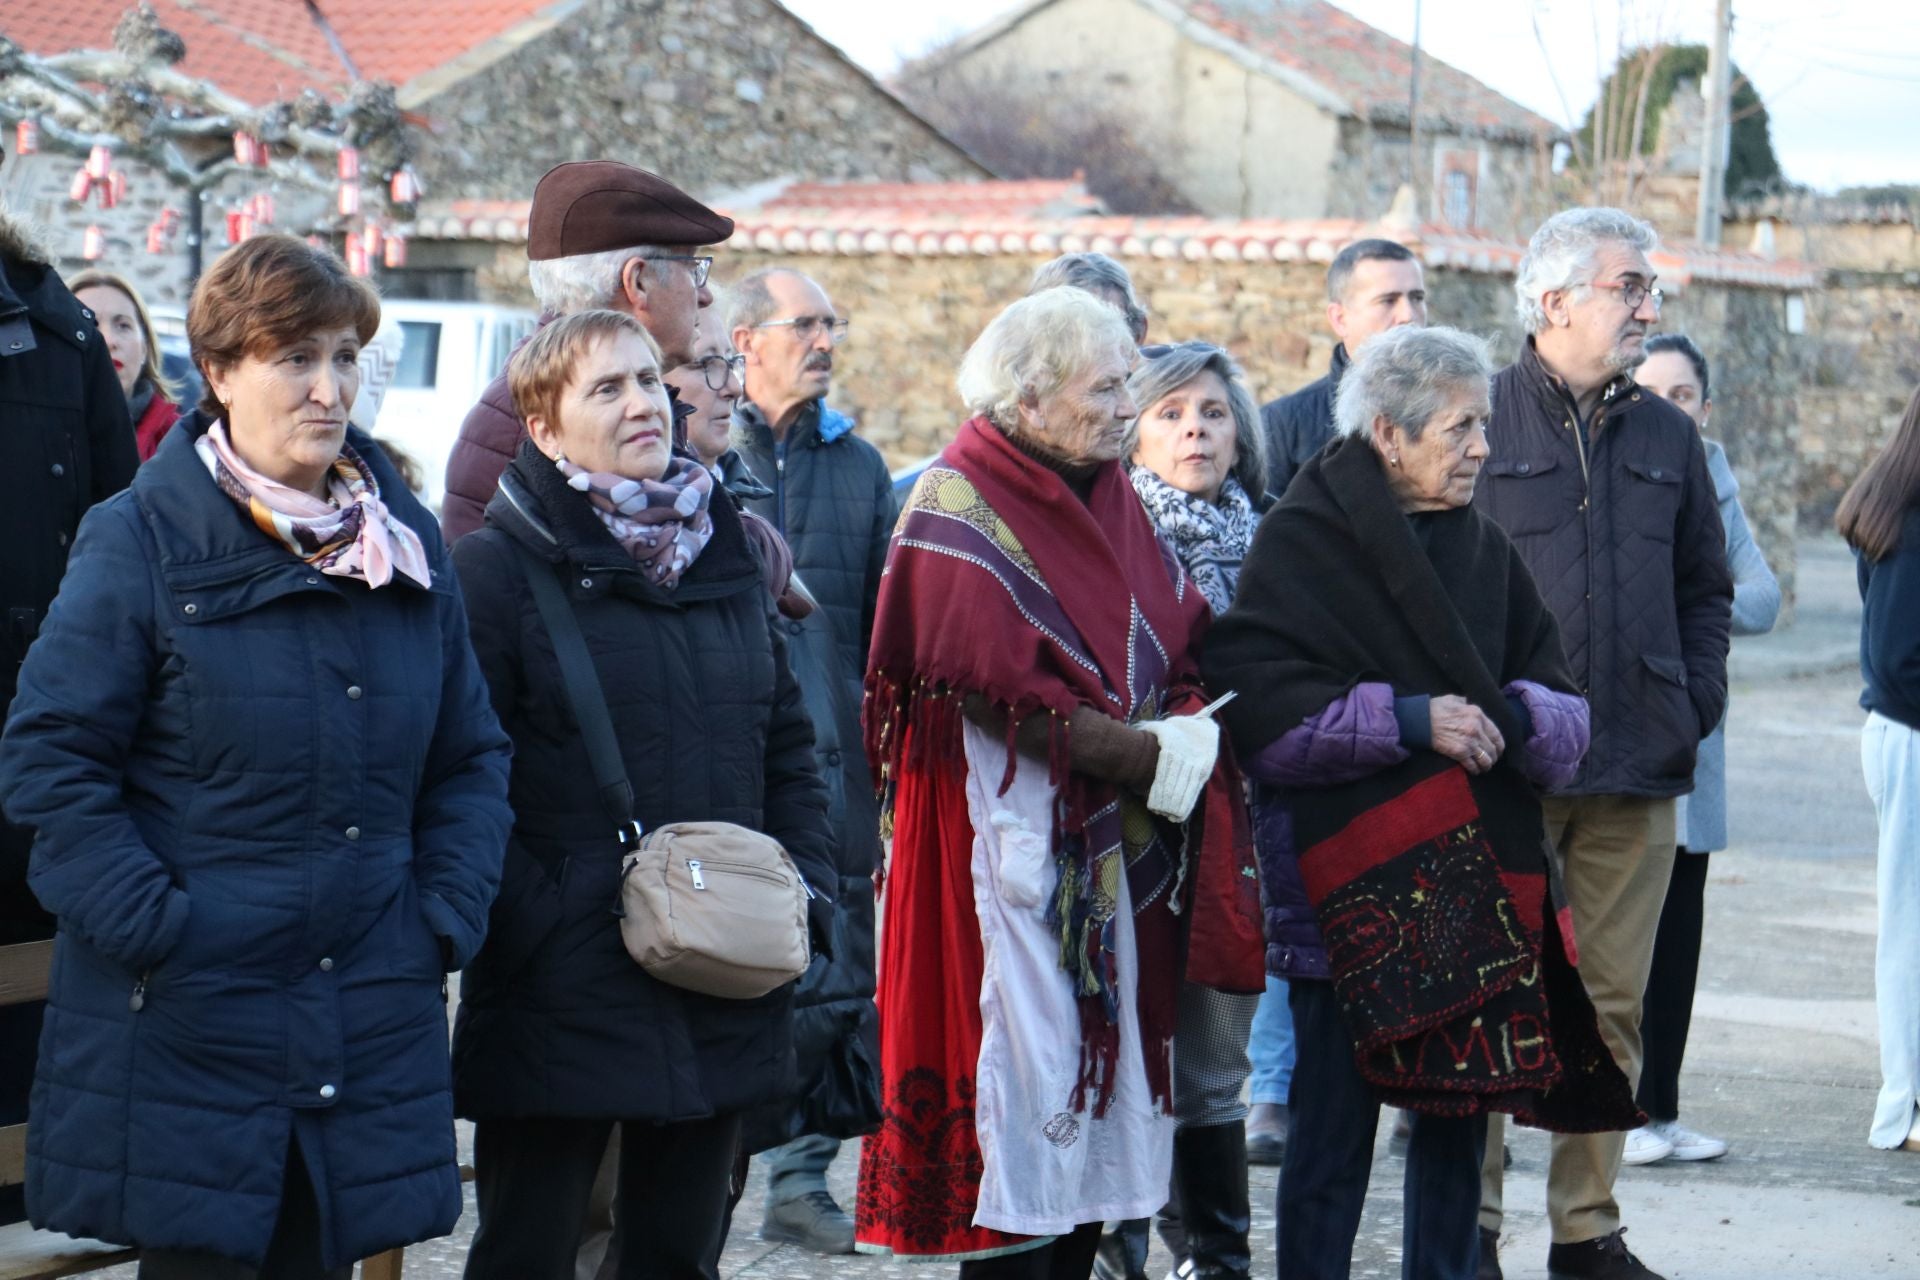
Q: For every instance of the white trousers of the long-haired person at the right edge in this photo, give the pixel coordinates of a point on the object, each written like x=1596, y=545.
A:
x=1890, y=757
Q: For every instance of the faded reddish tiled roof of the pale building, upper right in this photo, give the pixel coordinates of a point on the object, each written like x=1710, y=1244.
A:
x=1366, y=66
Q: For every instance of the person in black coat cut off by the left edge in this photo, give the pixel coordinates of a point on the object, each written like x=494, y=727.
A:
x=70, y=446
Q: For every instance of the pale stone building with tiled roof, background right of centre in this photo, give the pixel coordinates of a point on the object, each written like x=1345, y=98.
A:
x=1264, y=110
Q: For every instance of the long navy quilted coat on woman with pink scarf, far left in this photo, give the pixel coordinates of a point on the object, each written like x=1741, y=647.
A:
x=272, y=809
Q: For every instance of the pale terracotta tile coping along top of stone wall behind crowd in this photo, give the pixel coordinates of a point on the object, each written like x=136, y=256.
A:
x=873, y=233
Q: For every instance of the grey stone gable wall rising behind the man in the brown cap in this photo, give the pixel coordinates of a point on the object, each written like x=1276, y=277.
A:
x=717, y=95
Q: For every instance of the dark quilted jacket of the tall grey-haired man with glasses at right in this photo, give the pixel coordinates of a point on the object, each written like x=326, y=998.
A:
x=1625, y=540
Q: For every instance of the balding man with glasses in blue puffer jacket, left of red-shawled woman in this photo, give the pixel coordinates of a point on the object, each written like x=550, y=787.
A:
x=832, y=498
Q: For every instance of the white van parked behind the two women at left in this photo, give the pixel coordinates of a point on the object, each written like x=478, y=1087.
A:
x=454, y=352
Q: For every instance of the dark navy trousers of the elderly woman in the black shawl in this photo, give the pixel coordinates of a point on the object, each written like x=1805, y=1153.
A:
x=1330, y=1156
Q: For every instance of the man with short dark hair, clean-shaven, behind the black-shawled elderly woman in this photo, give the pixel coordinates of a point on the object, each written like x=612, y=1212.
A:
x=1372, y=287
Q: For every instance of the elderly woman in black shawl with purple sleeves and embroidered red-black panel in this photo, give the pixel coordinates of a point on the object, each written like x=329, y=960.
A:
x=1404, y=696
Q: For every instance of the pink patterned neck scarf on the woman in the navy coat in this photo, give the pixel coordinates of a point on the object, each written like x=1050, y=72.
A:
x=348, y=534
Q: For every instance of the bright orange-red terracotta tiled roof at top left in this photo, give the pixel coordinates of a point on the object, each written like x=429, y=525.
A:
x=262, y=51
